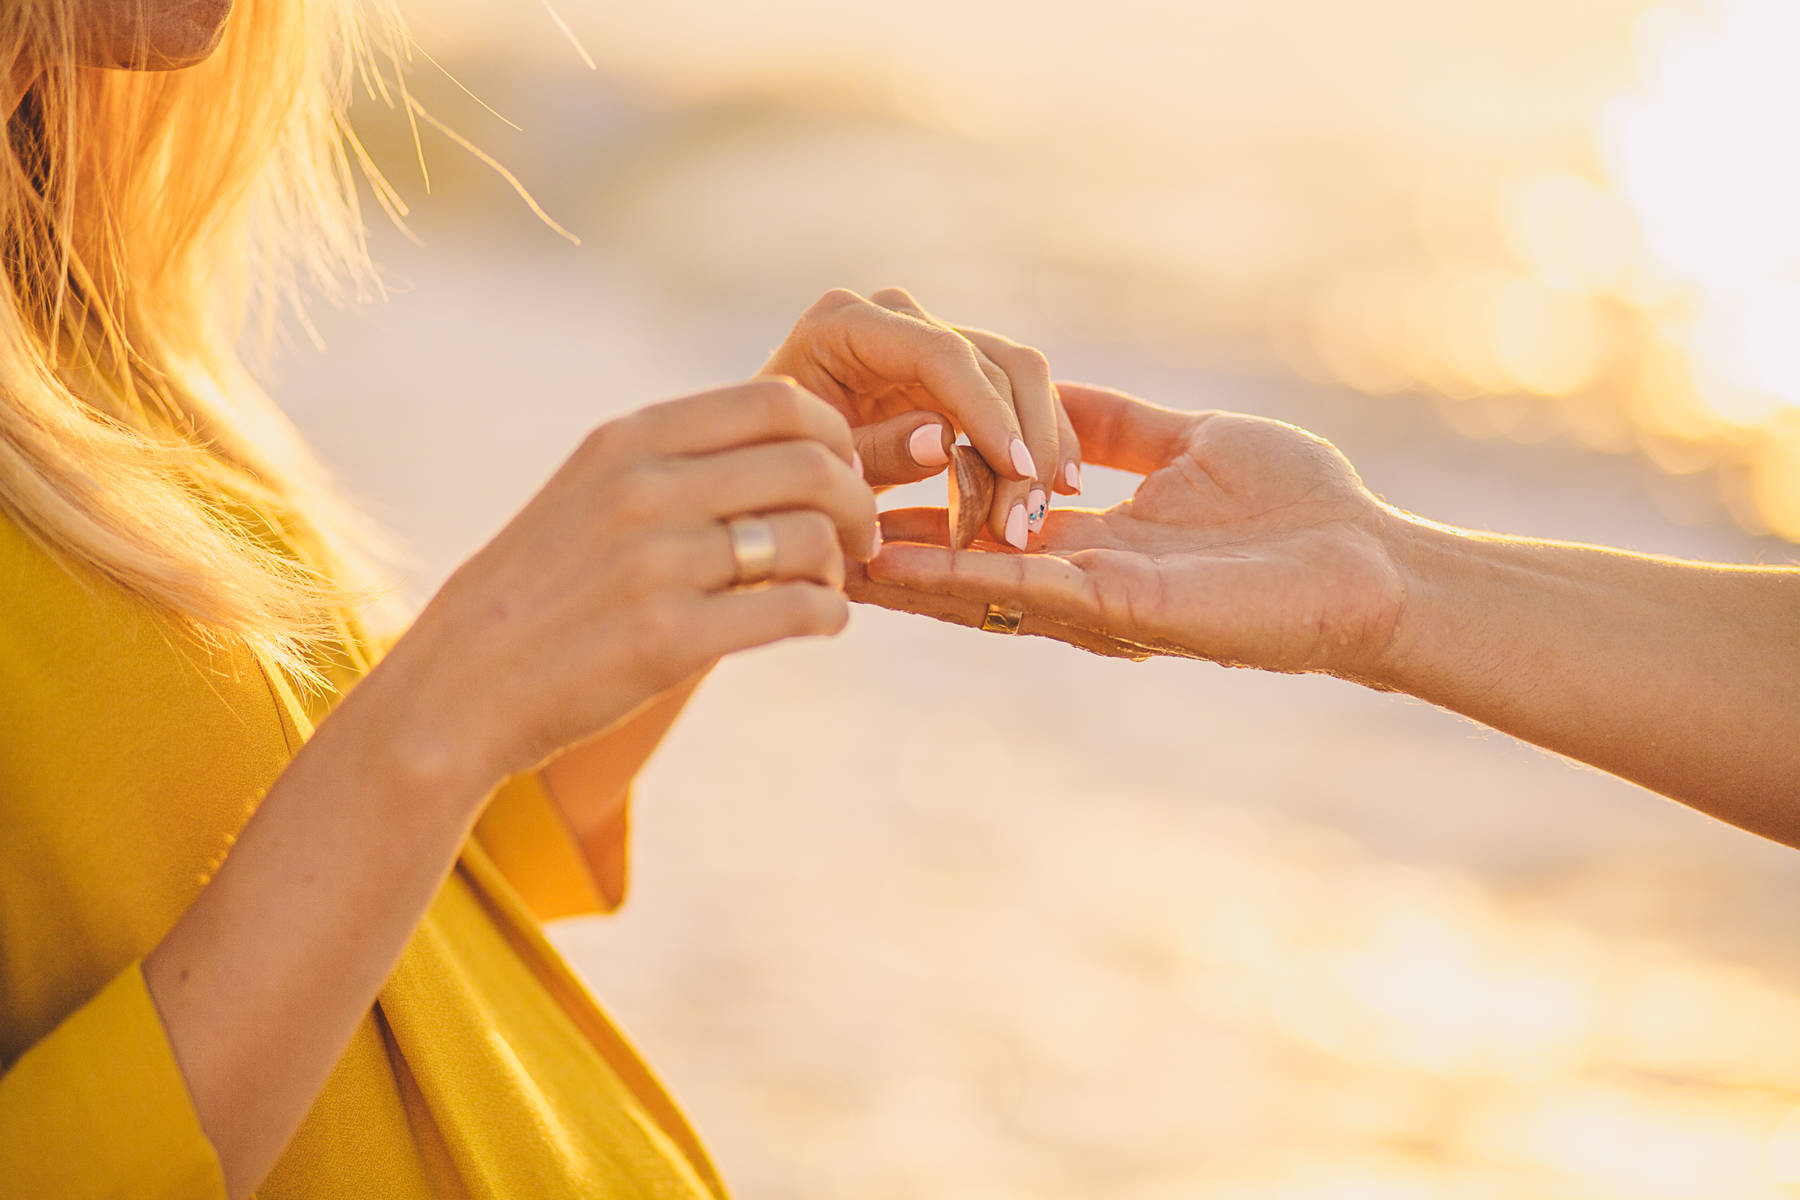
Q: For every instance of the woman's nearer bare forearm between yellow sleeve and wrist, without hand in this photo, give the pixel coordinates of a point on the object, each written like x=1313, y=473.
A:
x=265, y=978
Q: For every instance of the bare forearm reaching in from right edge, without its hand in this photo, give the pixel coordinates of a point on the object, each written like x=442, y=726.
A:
x=1682, y=677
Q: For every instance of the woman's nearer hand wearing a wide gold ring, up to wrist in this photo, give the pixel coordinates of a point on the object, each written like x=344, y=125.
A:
x=616, y=580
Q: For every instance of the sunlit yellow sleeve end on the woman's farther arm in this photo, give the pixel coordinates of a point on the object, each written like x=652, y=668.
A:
x=528, y=839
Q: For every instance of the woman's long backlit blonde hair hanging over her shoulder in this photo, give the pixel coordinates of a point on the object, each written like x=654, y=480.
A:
x=145, y=215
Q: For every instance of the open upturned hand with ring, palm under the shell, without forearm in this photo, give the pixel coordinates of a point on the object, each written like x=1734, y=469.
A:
x=1250, y=542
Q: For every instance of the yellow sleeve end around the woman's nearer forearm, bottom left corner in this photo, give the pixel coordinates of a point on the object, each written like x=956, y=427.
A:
x=100, y=1109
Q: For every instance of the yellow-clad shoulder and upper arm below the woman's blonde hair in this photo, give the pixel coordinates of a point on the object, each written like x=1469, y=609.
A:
x=130, y=757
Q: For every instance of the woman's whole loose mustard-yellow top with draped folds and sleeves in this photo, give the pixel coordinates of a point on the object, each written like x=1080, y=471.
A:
x=130, y=757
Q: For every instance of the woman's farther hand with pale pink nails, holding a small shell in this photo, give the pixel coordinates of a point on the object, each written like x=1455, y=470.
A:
x=908, y=382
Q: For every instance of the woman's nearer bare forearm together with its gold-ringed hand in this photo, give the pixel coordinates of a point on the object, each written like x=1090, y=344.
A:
x=609, y=589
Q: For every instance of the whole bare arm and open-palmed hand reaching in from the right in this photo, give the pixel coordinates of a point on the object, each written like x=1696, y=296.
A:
x=1254, y=544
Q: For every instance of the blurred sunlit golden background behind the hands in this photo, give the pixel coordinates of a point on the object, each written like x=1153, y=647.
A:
x=922, y=913
